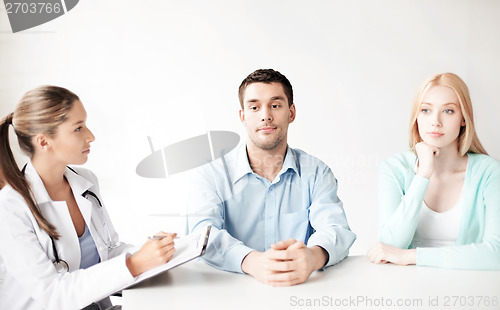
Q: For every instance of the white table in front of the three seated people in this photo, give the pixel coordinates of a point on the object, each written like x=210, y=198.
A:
x=355, y=283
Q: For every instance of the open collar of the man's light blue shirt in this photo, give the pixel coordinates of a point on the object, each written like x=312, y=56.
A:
x=243, y=165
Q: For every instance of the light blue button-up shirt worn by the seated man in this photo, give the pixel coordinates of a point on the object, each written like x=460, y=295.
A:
x=248, y=212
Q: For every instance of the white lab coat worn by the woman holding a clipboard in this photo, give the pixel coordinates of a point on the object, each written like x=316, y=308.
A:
x=29, y=279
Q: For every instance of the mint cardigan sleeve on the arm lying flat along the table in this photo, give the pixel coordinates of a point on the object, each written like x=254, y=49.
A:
x=484, y=254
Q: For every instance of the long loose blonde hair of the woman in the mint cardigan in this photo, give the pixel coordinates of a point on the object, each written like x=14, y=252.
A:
x=467, y=138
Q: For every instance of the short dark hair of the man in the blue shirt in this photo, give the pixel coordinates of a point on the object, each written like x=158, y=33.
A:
x=266, y=76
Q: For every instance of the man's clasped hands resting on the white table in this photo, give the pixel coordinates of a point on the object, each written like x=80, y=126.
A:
x=288, y=262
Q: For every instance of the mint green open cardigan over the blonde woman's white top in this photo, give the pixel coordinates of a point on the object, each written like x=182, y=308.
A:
x=401, y=193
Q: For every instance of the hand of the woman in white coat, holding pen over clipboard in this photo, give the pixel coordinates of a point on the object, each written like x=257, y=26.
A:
x=153, y=253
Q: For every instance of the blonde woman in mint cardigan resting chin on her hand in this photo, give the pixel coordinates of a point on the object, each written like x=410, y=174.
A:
x=440, y=203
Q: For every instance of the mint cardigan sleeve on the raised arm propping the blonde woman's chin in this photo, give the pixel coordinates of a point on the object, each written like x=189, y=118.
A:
x=399, y=204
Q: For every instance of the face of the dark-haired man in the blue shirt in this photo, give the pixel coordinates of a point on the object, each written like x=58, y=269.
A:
x=266, y=115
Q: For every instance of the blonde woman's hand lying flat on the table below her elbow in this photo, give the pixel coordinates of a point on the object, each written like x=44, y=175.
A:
x=383, y=253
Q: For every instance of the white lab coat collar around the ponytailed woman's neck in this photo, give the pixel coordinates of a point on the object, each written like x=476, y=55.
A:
x=77, y=183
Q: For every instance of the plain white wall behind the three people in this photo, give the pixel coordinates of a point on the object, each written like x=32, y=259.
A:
x=171, y=69
